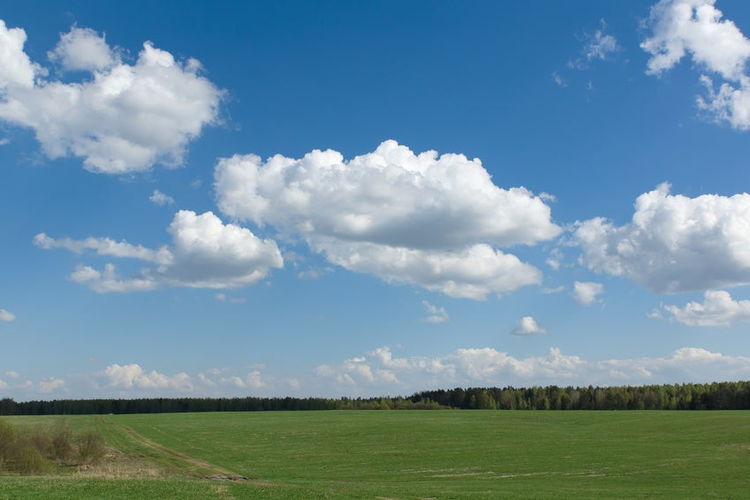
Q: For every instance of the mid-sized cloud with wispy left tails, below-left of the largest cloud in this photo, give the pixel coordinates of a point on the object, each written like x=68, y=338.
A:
x=205, y=254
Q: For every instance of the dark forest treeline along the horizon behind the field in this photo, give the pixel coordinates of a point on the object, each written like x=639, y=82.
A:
x=714, y=396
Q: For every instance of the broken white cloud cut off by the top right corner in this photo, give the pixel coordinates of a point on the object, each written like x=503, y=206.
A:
x=695, y=27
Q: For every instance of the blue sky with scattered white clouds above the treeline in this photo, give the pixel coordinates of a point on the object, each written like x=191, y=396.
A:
x=371, y=198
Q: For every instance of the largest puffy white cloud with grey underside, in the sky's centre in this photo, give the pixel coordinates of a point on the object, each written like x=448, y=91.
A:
x=418, y=219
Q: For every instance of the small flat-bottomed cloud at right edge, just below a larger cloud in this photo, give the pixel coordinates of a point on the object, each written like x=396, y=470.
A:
x=718, y=309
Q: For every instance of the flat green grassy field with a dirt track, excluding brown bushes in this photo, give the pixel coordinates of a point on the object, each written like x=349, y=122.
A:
x=408, y=455
